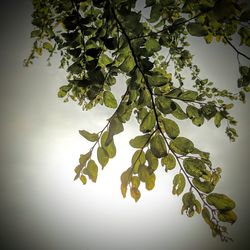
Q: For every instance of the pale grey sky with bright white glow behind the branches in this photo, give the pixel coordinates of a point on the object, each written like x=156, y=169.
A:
x=43, y=208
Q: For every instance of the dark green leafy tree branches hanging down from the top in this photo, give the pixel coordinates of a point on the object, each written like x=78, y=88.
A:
x=99, y=40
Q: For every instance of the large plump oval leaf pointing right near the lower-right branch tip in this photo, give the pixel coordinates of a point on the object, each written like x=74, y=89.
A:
x=220, y=201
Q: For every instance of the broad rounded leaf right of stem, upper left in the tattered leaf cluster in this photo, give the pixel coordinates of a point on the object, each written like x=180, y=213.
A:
x=194, y=167
